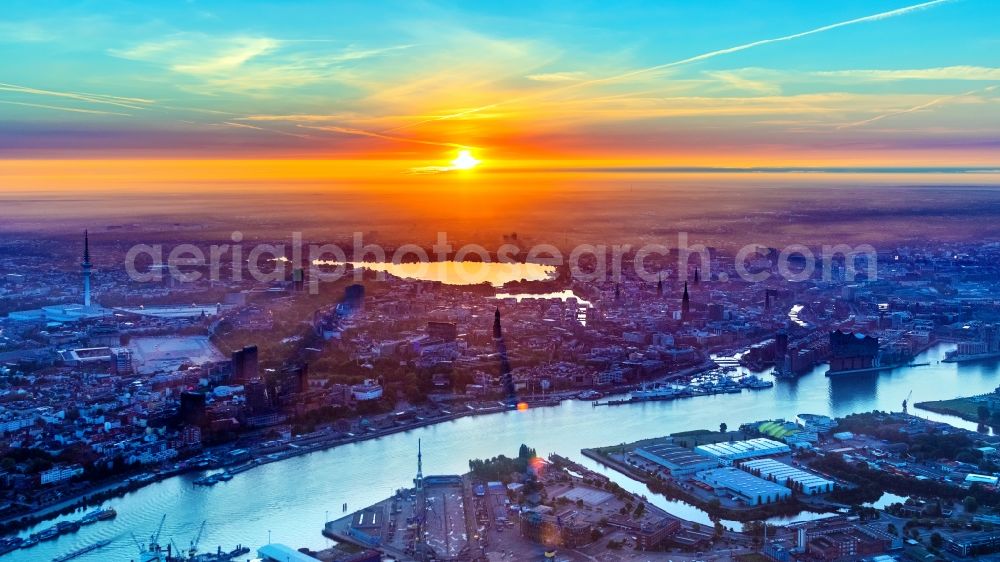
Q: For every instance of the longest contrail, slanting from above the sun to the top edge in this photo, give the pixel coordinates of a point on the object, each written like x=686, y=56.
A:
x=704, y=56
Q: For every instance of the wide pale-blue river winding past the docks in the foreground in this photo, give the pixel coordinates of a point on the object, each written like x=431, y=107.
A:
x=291, y=498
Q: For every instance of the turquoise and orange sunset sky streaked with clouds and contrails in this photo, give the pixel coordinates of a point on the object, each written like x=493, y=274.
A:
x=112, y=89
